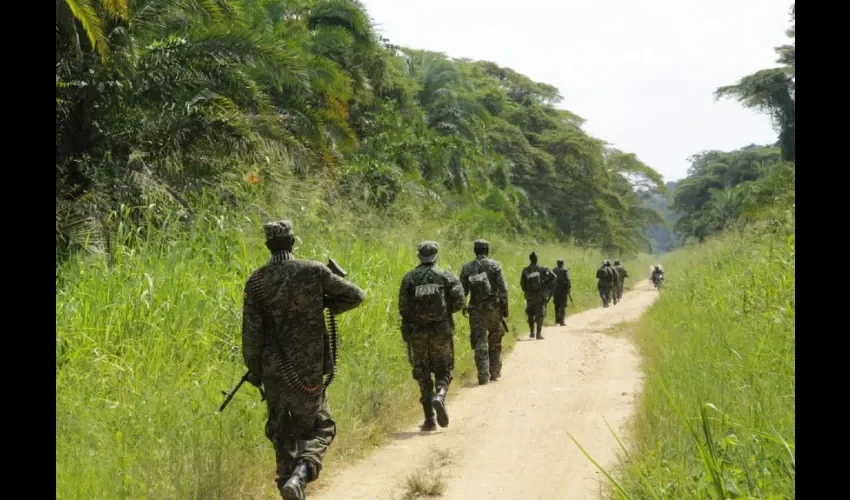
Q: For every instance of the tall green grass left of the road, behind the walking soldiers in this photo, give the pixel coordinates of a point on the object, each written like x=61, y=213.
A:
x=148, y=335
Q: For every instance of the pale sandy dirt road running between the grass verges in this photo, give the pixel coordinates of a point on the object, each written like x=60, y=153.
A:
x=508, y=439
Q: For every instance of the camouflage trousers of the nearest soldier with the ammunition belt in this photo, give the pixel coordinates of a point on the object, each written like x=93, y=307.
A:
x=300, y=428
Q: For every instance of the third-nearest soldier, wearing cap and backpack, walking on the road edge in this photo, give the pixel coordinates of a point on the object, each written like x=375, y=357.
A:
x=484, y=282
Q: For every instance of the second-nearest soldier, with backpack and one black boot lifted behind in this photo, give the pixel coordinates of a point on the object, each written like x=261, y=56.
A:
x=427, y=298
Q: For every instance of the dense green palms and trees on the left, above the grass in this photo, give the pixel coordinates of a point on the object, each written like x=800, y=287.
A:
x=158, y=99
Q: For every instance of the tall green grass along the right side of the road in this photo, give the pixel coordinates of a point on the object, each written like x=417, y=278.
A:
x=716, y=419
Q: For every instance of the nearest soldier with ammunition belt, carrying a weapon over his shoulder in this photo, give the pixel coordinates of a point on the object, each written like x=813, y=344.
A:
x=283, y=344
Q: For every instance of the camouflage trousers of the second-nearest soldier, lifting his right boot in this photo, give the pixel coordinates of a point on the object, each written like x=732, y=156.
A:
x=430, y=352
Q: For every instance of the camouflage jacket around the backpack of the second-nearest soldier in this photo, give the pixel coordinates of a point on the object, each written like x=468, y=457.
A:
x=423, y=275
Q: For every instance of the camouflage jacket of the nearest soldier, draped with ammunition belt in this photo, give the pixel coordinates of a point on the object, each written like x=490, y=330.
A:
x=296, y=294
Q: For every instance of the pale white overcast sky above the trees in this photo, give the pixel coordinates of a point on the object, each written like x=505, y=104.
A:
x=640, y=72
